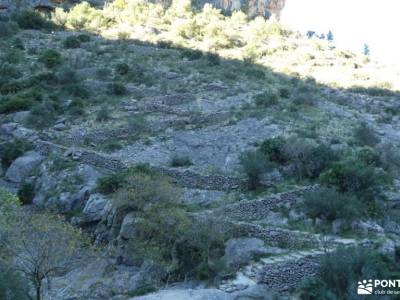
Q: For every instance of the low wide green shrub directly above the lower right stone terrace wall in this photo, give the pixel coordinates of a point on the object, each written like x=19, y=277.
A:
x=328, y=204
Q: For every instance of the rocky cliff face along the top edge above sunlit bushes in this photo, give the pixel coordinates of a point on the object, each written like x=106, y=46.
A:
x=253, y=8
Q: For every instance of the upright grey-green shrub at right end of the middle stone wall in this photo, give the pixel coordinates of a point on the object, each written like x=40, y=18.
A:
x=254, y=165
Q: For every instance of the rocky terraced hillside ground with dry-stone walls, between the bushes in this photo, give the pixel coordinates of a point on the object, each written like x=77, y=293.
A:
x=183, y=107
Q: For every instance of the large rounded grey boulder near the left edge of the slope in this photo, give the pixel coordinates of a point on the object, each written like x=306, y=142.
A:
x=23, y=166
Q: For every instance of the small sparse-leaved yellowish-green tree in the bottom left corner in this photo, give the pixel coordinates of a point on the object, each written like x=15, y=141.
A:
x=42, y=246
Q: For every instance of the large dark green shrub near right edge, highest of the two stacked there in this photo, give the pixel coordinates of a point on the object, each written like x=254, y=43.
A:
x=354, y=176
